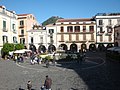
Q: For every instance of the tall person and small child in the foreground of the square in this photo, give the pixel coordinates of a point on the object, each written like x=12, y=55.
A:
x=46, y=86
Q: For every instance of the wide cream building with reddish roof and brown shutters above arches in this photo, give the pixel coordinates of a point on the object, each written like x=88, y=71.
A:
x=75, y=34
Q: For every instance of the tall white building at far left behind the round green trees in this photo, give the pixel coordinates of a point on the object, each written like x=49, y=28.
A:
x=8, y=26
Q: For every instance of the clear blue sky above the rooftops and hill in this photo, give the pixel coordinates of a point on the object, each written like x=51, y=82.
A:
x=44, y=9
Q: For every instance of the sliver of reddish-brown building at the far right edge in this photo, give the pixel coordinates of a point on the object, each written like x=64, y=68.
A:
x=117, y=35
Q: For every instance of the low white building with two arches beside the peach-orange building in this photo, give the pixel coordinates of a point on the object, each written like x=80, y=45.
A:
x=37, y=39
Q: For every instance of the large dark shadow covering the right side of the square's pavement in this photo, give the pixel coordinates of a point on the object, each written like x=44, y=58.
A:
x=104, y=77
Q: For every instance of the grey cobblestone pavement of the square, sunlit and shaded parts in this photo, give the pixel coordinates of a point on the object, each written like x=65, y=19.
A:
x=95, y=73
